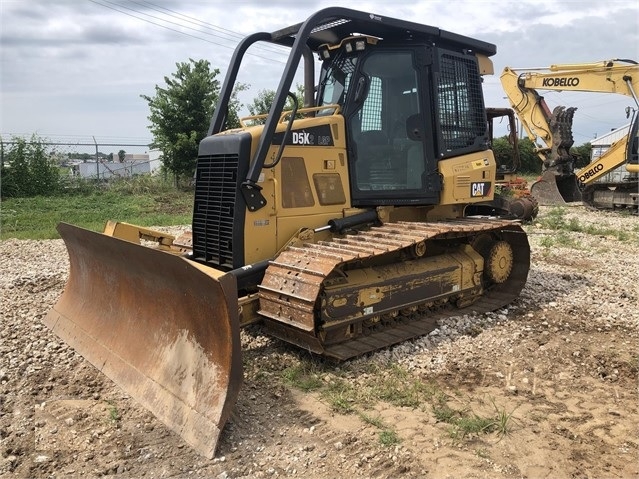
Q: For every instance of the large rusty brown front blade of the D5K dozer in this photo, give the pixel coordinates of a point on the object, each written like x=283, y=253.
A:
x=161, y=327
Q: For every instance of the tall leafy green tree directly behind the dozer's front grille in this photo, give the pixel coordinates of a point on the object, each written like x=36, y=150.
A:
x=181, y=113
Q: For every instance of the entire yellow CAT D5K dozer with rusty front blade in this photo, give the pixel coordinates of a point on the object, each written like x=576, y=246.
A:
x=344, y=225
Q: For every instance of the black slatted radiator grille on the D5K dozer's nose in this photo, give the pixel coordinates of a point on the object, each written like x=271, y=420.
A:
x=214, y=209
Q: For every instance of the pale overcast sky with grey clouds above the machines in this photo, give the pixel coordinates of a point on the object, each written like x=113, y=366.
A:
x=75, y=69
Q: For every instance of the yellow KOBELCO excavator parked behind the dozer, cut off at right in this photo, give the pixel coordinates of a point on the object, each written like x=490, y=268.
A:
x=560, y=183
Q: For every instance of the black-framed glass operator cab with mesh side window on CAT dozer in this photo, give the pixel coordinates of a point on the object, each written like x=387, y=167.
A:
x=394, y=97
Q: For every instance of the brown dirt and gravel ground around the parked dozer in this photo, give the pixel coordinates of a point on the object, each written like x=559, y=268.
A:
x=561, y=361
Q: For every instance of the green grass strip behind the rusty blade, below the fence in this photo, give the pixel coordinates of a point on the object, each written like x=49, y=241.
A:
x=152, y=205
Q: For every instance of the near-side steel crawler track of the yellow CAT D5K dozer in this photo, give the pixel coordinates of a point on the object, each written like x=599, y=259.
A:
x=311, y=295
